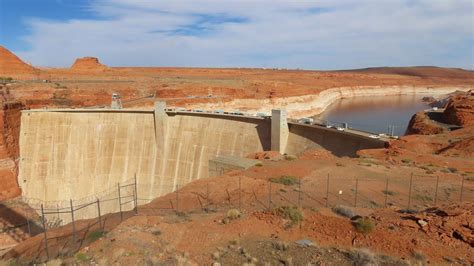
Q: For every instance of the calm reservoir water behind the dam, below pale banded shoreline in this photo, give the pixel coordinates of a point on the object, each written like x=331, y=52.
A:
x=375, y=114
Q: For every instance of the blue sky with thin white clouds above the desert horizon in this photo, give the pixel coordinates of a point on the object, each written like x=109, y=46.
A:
x=316, y=34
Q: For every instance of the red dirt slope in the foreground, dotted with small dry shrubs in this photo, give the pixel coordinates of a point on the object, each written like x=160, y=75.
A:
x=160, y=235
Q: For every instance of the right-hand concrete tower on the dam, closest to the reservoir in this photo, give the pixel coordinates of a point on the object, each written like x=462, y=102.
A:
x=280, y=131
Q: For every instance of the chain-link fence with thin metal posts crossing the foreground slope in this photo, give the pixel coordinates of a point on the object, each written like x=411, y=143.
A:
x=246, y=194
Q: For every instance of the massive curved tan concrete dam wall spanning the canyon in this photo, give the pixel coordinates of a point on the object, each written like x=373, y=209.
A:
x=77, y=153
